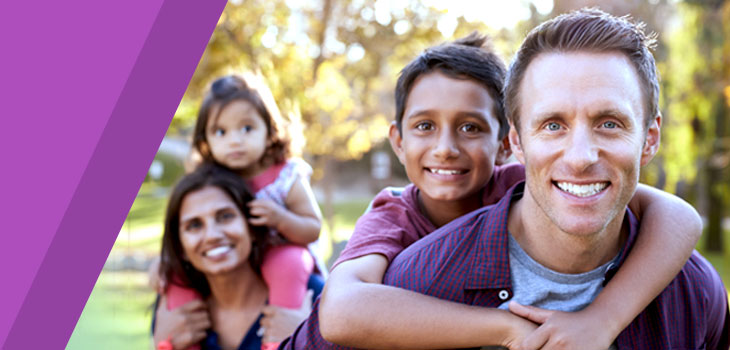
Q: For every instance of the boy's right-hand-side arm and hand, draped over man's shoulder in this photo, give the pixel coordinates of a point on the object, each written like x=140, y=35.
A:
x=668, y=233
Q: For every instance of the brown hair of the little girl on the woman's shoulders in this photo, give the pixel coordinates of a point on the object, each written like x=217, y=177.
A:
x=232, y=88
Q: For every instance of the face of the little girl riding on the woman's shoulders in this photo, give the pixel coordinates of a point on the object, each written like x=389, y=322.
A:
x=238, y=137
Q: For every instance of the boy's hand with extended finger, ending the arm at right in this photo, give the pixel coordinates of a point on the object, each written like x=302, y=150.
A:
x=563, y=330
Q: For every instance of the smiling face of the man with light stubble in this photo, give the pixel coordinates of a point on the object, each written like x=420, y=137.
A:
x=582, y=138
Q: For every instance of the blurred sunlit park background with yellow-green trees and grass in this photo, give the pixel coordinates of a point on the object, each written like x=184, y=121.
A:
x=332, y=66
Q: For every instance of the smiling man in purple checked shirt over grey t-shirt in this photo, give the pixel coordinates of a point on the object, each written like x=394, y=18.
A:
x=582, y=98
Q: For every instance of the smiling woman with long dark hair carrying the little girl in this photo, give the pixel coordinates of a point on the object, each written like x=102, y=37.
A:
x=208, y=245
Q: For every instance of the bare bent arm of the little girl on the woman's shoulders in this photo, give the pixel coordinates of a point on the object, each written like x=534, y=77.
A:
x=299, y=222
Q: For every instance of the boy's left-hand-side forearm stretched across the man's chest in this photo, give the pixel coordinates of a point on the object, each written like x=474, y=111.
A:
x=357, y=310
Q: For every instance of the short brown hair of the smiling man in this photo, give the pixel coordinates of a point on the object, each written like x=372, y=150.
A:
x=589, y=30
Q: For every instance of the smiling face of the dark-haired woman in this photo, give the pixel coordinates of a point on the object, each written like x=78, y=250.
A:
x=213, y=232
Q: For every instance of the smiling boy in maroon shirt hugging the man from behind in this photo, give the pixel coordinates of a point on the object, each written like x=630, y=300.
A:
x=449, y=133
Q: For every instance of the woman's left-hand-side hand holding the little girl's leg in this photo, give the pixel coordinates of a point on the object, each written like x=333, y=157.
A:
x=183, y=326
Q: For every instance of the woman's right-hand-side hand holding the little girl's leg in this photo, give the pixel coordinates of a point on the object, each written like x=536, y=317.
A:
x=279, y=323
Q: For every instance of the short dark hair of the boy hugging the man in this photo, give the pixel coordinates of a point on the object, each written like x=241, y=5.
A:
x=471, y=57
